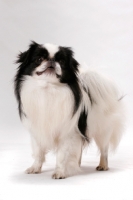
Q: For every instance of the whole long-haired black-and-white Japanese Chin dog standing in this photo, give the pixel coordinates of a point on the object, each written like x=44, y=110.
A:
x=64, y=107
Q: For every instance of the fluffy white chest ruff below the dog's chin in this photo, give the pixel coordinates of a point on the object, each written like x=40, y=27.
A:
x=47, y=107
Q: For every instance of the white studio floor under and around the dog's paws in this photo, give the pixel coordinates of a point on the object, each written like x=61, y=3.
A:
x=115, y=184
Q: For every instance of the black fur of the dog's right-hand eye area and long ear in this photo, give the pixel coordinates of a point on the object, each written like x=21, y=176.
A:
x=69, y=73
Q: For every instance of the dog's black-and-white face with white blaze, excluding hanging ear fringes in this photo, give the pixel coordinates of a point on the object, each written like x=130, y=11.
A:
x=48, y=62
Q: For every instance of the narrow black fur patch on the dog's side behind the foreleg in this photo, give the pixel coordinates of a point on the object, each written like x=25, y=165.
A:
x=82, y=124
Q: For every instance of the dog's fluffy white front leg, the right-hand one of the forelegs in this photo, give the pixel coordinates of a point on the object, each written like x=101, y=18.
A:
x=68, y=156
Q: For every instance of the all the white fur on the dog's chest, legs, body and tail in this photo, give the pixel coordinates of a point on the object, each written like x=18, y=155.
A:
x=48, y=106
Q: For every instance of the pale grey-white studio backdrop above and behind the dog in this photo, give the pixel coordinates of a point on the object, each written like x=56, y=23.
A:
x=100, y=32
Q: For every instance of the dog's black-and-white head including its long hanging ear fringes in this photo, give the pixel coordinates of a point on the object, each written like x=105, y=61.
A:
x=51, y=63
